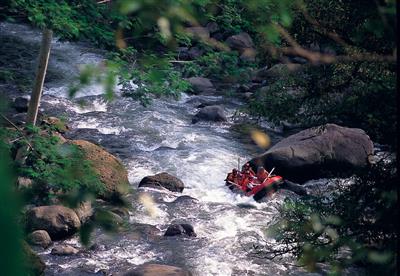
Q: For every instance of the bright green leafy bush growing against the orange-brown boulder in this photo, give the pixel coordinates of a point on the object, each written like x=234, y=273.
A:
x=56, y=169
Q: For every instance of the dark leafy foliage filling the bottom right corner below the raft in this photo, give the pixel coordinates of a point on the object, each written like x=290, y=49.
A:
x=332, y=228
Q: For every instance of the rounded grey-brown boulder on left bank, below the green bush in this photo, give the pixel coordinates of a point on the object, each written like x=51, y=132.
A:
x=59, y=221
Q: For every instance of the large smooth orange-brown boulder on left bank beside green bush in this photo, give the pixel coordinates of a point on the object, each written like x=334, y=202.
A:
x=111, y=171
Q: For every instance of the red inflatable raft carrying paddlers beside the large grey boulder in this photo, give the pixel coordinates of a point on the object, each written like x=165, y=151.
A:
x=257, y=185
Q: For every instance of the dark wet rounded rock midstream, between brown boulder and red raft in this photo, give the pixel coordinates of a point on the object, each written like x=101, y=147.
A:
x=163, y=180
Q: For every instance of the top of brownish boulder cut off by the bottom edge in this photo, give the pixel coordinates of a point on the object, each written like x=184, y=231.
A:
x=149, y=269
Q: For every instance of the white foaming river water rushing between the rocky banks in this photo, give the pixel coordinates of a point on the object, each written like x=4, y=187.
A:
x=160, y=138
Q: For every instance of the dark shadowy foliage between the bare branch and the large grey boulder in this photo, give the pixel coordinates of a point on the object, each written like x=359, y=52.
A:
x=357, y=94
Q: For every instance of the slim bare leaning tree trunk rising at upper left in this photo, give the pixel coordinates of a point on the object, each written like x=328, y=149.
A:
x=40, y=75
